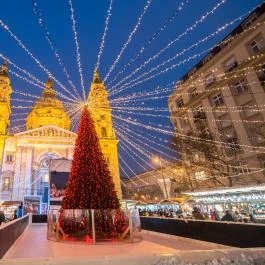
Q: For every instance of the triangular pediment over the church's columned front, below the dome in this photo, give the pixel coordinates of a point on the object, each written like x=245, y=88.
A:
x=47, y=131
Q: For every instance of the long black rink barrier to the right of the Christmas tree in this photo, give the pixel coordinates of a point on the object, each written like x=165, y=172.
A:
x=242, y=235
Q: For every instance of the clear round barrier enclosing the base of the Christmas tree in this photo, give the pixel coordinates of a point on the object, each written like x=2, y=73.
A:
x=91, y=226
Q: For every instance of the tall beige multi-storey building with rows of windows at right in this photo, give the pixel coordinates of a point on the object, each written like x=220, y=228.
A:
x=220, y=102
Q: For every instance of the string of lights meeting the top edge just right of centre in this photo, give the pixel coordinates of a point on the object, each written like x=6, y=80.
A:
x=125, y=45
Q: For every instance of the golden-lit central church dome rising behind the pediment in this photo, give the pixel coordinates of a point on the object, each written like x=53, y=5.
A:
x=48, y=110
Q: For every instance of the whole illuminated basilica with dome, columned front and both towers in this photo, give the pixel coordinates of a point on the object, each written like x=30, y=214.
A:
x=25, y=156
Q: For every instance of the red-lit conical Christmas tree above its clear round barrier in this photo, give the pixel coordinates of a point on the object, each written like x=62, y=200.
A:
x=90, y=185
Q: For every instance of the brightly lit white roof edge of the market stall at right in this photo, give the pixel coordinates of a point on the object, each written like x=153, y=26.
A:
x=228, y=191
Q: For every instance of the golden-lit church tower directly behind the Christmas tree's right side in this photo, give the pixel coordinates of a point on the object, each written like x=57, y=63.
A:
x=101, y=113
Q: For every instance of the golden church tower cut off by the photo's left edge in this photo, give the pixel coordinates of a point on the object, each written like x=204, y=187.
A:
x=5, y=109
